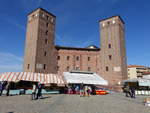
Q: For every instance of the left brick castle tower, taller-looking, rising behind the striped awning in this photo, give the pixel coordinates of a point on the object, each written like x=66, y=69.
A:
x=40, y=54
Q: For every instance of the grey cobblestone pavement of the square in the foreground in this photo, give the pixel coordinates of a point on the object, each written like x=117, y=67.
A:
x=112, y=103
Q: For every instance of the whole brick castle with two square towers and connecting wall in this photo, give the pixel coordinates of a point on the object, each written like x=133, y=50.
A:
x=43, y=56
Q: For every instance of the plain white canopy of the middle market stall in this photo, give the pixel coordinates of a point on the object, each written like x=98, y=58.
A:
x=83, y=77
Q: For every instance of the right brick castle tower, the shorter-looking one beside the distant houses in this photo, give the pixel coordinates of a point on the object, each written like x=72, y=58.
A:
x=113, y=52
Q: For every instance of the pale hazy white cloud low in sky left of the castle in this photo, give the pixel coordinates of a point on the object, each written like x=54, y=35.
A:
x=10, y=62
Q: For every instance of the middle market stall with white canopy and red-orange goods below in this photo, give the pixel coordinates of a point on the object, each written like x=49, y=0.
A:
x=75, y=80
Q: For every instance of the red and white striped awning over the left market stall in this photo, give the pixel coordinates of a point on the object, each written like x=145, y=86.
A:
x=34, y=77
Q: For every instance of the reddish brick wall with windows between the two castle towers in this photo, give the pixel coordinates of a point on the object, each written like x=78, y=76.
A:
x=83, y=63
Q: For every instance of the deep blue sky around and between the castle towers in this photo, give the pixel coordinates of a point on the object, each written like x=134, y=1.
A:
x=77, y=25
